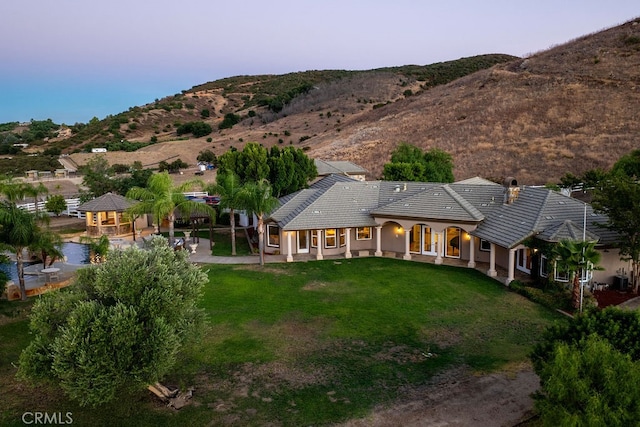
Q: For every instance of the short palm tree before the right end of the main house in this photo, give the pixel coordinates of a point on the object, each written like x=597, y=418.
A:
x=576, y=257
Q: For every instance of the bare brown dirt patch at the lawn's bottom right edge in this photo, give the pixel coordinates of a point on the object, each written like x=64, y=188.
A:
x=459, y=399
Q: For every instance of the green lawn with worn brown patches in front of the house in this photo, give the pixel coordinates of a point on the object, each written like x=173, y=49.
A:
x=313, y=344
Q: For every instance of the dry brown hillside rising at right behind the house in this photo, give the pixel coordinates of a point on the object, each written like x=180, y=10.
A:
x=571, y=108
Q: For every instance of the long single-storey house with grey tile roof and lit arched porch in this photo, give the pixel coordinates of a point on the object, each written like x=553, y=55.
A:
x=475, y=221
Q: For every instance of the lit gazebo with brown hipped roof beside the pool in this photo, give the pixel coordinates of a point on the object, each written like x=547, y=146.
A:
x=104, y=215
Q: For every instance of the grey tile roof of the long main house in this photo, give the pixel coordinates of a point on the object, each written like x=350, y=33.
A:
x=337, y=202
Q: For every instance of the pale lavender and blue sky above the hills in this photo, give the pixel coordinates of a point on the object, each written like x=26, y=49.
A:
x=72, y=60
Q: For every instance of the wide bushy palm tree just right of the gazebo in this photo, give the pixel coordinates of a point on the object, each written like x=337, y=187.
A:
x=162, y=199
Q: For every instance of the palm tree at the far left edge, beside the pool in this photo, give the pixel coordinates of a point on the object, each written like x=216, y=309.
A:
x=18, y=230
